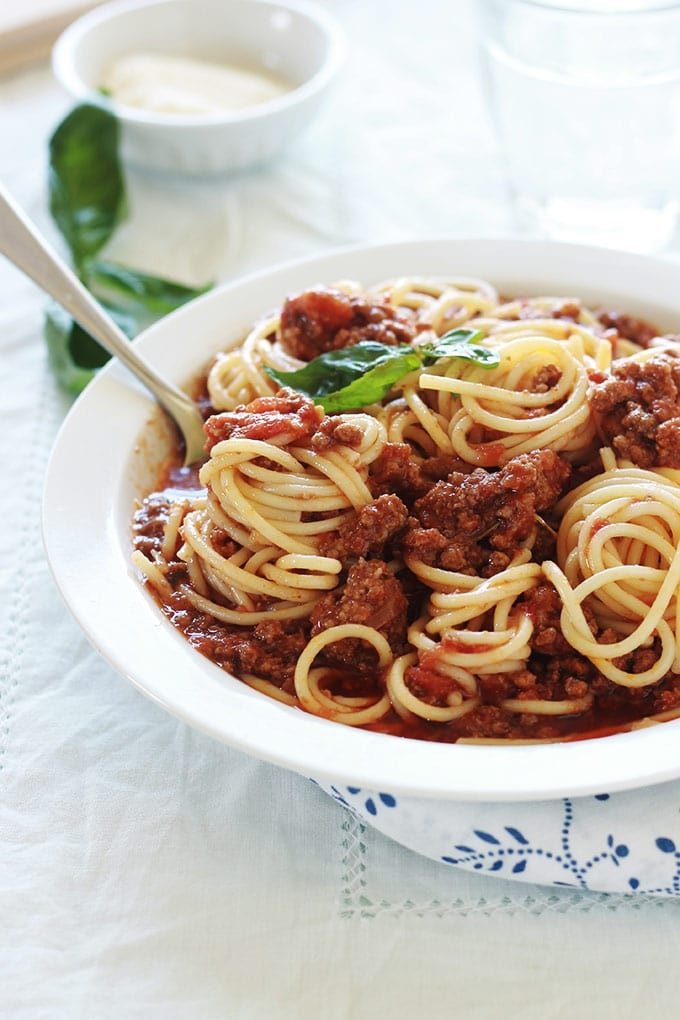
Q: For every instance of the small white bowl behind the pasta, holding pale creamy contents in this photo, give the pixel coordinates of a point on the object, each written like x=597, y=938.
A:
x=292, y=39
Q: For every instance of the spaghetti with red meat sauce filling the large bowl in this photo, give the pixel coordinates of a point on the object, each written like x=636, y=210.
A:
x=482, y=553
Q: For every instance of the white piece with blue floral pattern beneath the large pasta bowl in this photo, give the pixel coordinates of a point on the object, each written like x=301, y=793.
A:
x=621, y=843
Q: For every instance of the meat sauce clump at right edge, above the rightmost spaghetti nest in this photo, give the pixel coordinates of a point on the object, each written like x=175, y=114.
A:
x=638, y=411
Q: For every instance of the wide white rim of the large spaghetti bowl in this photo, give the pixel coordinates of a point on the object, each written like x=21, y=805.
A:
x=81, y=536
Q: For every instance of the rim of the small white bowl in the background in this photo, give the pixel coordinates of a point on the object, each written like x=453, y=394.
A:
x=74, y=36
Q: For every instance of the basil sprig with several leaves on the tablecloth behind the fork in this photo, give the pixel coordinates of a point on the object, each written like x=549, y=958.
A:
x=88, y=202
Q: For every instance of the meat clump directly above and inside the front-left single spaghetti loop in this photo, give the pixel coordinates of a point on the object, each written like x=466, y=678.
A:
x=372, y=596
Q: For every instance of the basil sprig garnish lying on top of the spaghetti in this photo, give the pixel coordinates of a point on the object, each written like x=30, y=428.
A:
x=356, y=377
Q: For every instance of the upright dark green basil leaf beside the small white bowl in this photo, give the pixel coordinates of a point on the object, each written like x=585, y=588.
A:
x=86, y=183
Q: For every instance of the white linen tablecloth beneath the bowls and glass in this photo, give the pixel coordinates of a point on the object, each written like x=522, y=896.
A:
x=147, y=872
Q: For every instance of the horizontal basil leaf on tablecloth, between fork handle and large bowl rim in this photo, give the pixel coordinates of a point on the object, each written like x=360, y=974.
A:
x=153, y=294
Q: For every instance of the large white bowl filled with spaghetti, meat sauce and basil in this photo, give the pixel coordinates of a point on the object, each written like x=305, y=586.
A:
x=434, y=548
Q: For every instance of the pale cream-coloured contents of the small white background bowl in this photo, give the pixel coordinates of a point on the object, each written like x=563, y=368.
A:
x=163, y=84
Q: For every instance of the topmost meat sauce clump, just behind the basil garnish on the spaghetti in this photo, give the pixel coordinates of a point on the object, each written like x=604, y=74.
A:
x=327, y=320
